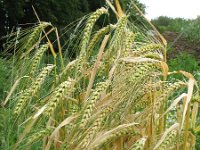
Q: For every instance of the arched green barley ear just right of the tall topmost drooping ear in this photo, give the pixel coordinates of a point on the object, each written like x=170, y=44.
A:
x=99, y=35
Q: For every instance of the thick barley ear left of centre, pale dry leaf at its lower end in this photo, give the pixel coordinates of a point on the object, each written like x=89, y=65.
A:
x=64, y=89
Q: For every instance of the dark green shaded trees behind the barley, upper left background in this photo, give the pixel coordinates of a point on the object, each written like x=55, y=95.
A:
x=58, y=12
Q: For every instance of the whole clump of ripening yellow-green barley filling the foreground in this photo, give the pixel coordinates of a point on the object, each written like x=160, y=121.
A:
x=116, y=93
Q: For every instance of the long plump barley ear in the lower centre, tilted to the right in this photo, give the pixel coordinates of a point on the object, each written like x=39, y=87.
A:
x=90, y=104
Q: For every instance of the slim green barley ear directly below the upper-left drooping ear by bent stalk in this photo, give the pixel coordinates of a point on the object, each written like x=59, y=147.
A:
x=37, y=58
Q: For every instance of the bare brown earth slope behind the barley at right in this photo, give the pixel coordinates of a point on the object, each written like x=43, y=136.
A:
x=180, y=44
